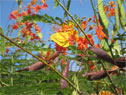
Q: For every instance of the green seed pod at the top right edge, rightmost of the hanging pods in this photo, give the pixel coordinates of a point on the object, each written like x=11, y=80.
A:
x=122, y=15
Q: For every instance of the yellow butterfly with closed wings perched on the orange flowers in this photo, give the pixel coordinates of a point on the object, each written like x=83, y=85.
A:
x=61, y=38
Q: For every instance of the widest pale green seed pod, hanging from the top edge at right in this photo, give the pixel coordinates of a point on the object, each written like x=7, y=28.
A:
x=102, y=14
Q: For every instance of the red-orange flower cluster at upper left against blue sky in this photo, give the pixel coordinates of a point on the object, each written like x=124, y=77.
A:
x=26, y=27
